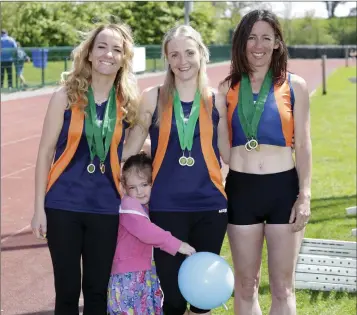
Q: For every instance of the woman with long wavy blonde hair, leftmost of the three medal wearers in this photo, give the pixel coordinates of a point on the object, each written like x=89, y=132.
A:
x=77, y=198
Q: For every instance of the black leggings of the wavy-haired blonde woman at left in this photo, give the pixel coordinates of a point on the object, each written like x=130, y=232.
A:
x=92, y=237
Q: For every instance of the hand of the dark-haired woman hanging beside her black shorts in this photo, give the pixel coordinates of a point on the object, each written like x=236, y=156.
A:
x=300, y=213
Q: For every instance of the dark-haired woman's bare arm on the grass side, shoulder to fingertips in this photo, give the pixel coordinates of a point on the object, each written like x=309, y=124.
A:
x=303, y=152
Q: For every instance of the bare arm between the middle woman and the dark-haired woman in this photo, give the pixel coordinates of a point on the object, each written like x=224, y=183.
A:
x=223, y=138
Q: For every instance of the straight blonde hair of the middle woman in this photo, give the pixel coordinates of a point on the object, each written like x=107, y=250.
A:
x=168, y=88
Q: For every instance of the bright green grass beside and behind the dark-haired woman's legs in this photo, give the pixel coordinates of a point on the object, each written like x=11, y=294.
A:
x=333, y=131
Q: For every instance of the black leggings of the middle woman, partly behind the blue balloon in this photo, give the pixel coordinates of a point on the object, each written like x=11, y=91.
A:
x=204, y=230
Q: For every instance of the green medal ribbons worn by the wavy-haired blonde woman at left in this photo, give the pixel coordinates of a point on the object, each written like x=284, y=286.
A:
x=100, y=137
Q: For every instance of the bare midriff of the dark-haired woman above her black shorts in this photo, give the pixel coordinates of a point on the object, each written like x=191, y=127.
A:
x=267, y=160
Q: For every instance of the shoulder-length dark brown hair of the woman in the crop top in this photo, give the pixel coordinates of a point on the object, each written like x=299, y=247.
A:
x=240, y=64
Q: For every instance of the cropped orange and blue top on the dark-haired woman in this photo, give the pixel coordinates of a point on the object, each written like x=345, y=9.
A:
x=276, y=125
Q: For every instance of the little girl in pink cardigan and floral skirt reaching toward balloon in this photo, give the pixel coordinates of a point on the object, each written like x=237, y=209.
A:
x=134, y=286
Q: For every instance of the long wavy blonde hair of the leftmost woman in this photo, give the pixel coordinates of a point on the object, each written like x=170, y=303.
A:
x=78, y=79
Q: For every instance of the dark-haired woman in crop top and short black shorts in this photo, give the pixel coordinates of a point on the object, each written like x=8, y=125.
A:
x=268, y=193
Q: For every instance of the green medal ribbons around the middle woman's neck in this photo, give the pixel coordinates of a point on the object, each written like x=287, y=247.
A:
x=186, y=131
